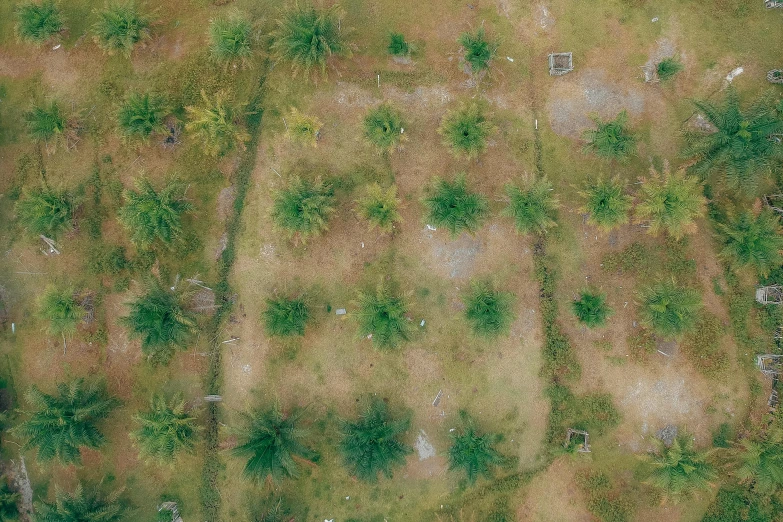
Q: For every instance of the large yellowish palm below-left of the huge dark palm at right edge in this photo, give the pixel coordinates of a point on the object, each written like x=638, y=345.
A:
x=671, y=202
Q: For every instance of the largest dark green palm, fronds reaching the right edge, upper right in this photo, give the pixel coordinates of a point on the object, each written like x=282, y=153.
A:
x=741, y=149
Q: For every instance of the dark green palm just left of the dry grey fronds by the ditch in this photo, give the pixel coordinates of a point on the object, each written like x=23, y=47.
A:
x=159, y=319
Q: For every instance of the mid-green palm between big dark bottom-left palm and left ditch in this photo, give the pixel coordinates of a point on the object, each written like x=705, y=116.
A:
x=166, y=429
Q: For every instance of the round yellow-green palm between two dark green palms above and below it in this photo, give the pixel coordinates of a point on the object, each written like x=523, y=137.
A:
x=465, y=130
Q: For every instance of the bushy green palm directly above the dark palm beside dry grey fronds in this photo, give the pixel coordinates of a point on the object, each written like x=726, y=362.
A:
x=151, y=216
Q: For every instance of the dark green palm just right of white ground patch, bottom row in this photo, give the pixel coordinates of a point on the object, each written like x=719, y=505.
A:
x=474, y=453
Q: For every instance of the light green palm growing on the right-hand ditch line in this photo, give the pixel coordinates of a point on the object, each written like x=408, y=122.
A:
x=532, y=207
